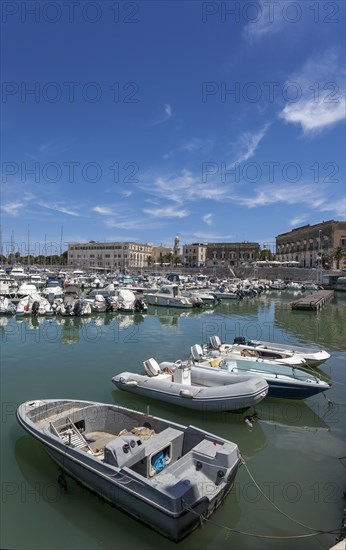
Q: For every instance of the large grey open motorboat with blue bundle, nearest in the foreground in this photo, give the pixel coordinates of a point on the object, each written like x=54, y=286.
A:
x=170, y=477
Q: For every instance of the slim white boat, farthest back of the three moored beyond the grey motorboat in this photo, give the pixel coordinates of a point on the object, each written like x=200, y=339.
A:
x=312, y=356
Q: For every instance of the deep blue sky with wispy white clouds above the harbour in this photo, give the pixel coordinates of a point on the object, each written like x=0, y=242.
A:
x=137, y=121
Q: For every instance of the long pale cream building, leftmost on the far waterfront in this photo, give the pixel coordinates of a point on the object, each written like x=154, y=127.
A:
x=109, y=256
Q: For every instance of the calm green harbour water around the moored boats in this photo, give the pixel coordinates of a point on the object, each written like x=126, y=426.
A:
x=295, y=453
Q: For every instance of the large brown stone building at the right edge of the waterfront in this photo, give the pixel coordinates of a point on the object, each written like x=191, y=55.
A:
x=311, y=244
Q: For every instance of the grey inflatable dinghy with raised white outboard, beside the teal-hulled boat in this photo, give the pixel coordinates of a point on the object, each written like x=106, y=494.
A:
x=181, y=383
